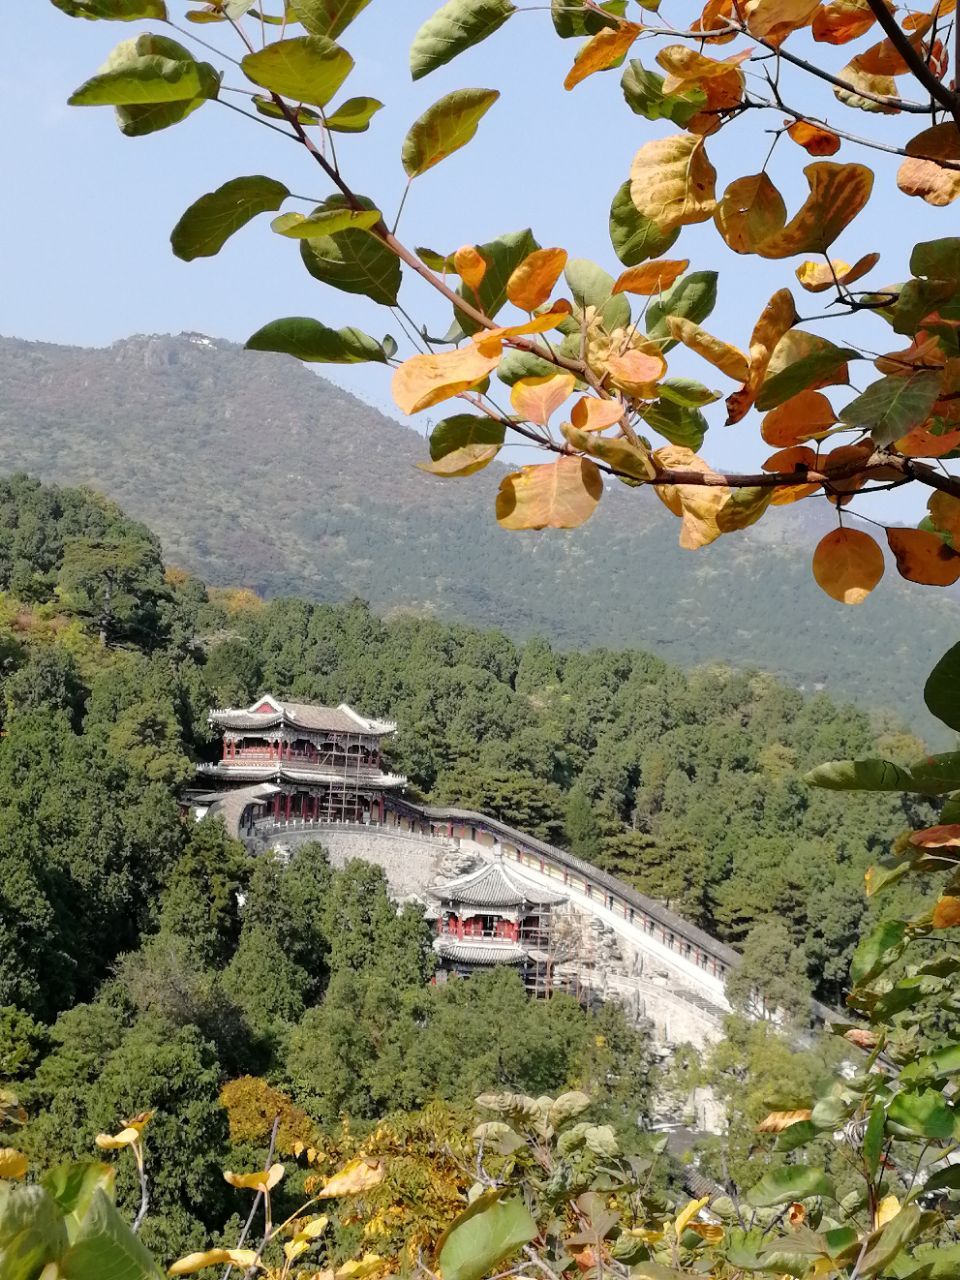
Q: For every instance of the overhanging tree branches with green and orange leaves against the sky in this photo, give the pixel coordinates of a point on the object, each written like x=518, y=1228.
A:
x=598, y=351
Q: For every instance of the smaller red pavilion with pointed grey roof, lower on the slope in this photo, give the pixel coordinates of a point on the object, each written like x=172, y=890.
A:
x=495, y=917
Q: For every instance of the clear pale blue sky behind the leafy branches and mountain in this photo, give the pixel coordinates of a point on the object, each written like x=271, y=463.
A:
x=86, y=213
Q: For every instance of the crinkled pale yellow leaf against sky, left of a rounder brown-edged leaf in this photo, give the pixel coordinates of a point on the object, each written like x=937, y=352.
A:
x=673, y=182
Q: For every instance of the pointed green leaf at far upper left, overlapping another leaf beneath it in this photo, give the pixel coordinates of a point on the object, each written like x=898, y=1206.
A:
x=148, y=71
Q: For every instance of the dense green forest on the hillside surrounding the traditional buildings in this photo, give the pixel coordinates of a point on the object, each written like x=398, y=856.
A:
x=131, y=977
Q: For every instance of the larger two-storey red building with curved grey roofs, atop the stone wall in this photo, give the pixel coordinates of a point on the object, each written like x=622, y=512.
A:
x=301, y=762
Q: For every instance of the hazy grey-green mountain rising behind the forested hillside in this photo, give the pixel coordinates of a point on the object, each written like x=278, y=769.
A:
x=258, y=473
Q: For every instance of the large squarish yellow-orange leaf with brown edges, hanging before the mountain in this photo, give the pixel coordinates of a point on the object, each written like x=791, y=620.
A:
x=561, y=495
